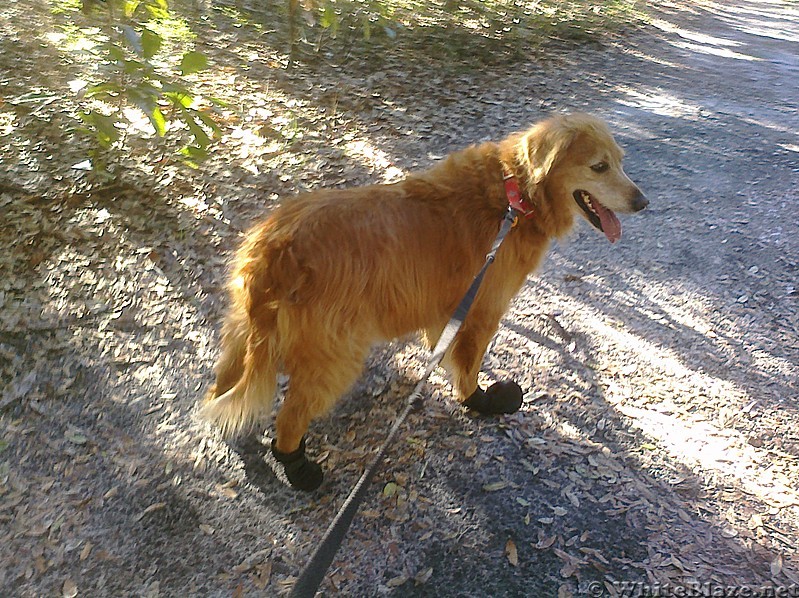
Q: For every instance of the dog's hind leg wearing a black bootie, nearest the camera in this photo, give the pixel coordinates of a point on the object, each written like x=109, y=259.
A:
x=315, y=385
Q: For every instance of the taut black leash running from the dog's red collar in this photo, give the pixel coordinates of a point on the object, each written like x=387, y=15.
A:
x=311, y=576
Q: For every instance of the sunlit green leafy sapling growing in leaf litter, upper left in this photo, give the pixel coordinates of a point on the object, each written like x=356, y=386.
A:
x=134, y=71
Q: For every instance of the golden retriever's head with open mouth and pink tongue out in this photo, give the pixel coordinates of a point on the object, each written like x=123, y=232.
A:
x=575, y=166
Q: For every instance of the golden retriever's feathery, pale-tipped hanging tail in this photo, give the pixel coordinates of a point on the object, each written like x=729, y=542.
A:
x=246, y=374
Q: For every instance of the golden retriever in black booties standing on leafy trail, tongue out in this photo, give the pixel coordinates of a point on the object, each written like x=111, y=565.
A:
x=328, y=274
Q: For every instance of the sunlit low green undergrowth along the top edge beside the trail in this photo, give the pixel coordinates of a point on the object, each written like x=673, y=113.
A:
x=460, y=29
